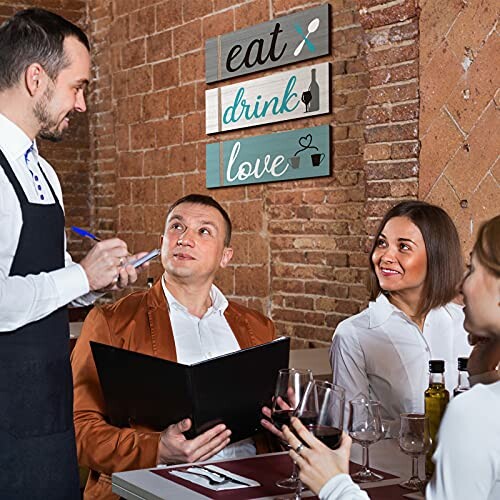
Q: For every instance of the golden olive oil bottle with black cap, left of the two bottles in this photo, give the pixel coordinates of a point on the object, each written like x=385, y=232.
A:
x=436, y=399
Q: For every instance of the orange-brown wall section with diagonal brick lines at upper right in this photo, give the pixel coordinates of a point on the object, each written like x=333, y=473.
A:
x=459, y=124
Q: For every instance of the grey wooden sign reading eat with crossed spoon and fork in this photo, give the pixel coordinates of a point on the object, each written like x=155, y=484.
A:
x=285, y=40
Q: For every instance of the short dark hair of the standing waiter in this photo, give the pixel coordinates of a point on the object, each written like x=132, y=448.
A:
x=35, y=36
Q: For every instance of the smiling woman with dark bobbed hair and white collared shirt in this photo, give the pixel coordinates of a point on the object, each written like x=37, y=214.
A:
x=383, y=352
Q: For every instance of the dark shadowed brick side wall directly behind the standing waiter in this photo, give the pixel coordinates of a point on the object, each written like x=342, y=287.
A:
x=70, y=158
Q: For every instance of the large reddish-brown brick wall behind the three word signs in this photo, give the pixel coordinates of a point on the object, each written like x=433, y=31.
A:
x=301, y=254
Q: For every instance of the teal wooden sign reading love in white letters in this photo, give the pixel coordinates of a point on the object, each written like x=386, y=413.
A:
x=283, y=156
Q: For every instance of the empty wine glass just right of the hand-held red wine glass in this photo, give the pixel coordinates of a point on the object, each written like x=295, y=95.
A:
x=365, y=428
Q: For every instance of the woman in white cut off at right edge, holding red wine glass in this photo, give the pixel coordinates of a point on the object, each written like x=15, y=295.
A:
x=468, y=454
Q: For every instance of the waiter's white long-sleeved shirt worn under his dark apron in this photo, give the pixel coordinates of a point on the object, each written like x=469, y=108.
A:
x=27, y=299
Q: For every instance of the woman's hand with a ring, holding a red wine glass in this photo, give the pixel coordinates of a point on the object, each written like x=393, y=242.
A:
x=317, y=462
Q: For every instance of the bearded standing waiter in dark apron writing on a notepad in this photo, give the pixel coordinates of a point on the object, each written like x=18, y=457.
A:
x=44, y=69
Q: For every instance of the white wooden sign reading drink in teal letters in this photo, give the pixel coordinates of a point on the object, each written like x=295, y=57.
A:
x=298, y=93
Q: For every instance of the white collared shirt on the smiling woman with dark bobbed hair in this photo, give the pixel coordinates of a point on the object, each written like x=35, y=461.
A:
x=383, y=354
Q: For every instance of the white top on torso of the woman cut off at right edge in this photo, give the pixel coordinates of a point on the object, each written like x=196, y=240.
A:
x=468, y=454
